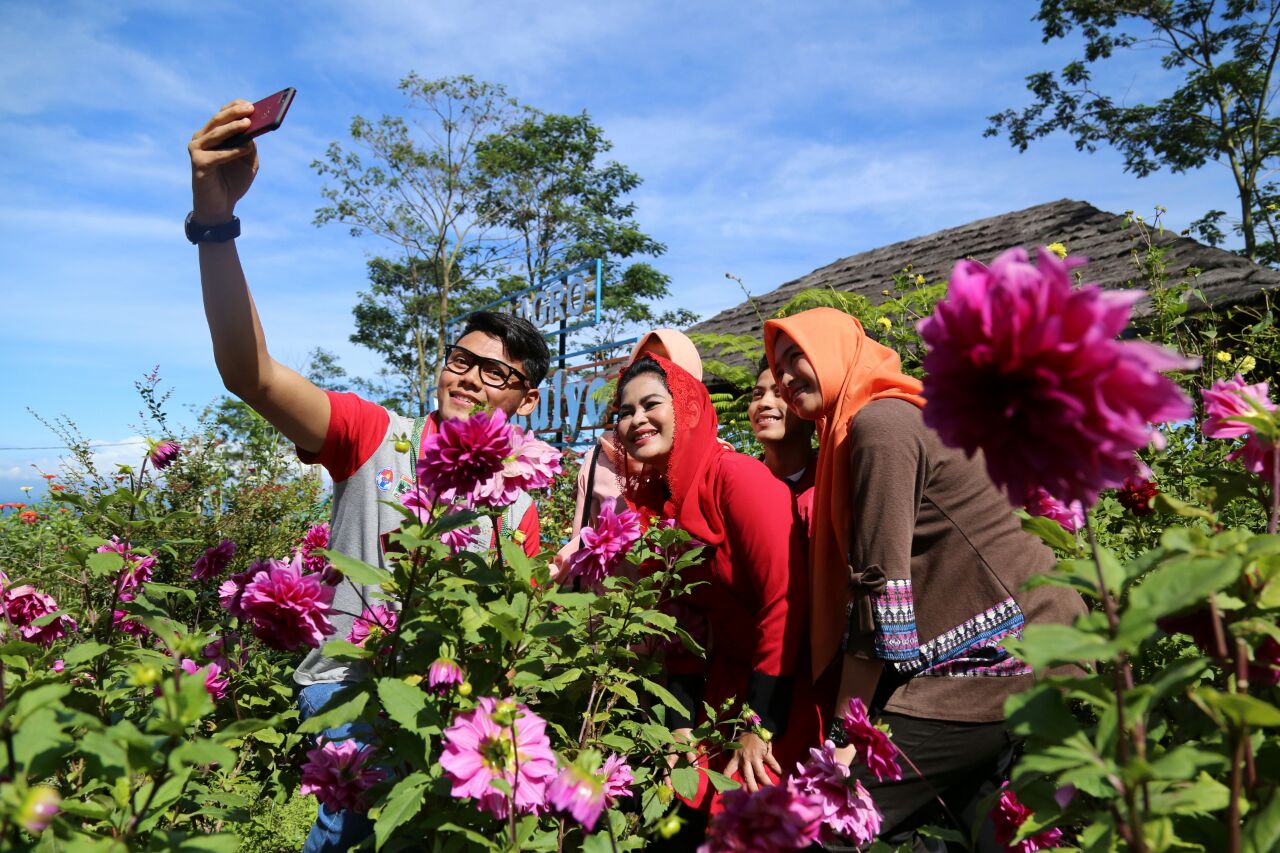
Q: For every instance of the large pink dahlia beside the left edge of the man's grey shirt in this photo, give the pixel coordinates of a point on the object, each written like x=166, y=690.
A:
x=289, y=609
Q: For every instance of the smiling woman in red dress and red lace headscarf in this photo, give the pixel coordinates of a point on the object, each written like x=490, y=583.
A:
x=756, y=592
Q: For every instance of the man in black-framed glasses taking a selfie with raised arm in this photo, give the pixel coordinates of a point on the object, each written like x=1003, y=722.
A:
x=497, y=363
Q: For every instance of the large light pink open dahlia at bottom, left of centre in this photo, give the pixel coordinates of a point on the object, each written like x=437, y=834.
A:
x=500, y=740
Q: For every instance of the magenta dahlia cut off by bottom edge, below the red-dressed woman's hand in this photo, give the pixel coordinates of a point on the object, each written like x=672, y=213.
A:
x=776, y=818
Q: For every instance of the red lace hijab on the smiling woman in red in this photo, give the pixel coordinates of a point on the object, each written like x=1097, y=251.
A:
x=683, y=490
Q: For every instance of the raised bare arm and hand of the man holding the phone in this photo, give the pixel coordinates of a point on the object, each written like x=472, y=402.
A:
x=218, y=181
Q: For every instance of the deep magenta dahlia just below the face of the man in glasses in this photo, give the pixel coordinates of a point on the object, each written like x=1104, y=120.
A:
x=464, y=457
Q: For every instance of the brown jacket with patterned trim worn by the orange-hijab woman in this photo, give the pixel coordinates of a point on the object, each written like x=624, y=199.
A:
x=938, y=569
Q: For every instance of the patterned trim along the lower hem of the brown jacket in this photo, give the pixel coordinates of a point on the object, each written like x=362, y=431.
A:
x=972, y=650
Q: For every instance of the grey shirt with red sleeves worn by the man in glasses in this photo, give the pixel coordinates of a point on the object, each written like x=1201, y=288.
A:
x=368, y=473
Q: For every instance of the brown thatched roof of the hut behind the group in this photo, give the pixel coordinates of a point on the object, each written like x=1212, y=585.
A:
x=1100, y=236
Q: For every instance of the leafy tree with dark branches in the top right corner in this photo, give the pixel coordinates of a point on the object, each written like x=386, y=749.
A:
x=1222, y=107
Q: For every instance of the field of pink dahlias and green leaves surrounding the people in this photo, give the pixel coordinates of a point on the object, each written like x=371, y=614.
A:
x=154, y=617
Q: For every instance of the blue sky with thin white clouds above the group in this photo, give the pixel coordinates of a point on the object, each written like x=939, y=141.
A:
x=772, y=138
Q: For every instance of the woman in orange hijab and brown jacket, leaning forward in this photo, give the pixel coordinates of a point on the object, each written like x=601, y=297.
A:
x=917, y=571
